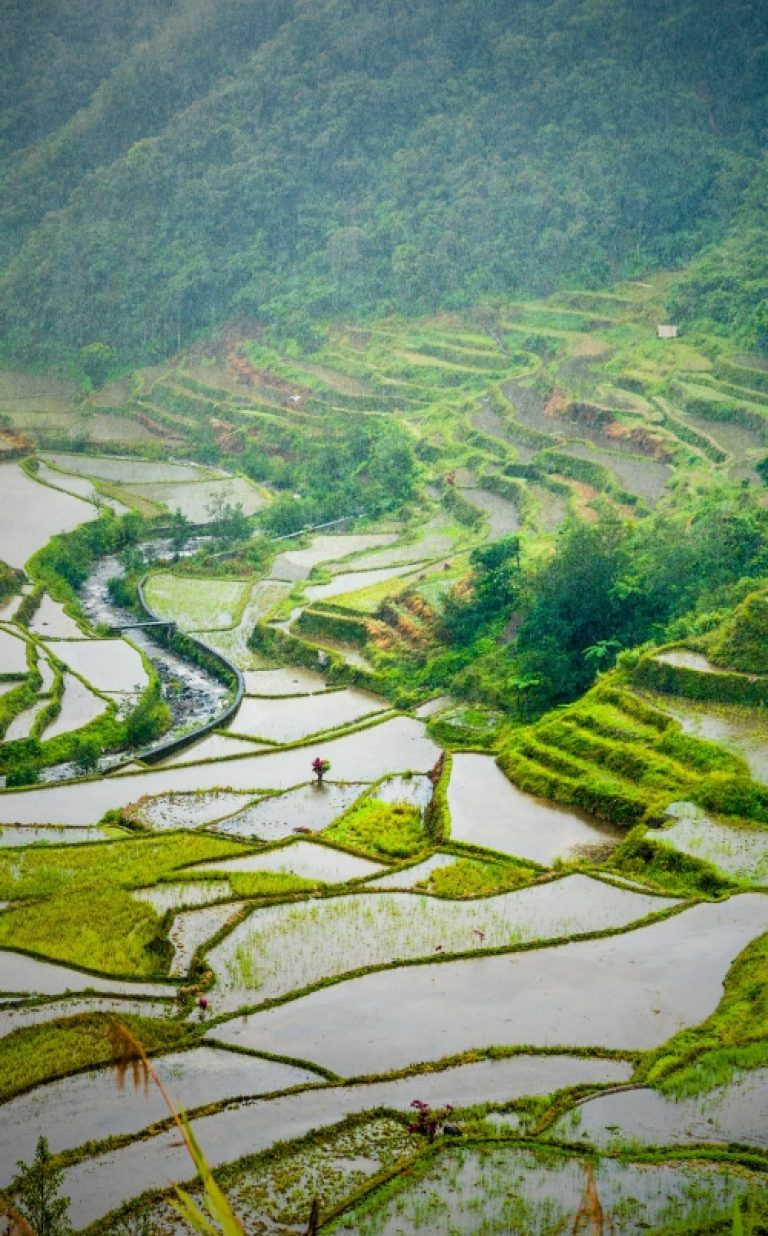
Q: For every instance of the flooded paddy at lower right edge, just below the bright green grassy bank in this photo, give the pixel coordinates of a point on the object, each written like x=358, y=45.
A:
x=733, y=1113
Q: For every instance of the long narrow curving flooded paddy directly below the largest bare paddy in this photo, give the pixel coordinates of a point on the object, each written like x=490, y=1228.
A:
x=101, y=1185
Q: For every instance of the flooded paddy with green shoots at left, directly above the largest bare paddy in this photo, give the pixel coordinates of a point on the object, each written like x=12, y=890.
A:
x=285, y=949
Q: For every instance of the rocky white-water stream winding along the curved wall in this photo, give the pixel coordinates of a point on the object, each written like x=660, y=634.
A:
x=200, y=699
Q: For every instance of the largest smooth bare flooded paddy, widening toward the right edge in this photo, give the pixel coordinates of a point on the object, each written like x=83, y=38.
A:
x=630, y=992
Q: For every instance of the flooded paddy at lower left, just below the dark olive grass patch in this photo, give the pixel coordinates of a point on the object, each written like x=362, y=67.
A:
x=93, y=1107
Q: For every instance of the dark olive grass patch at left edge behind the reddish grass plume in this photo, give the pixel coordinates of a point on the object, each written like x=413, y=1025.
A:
x=71, y=1045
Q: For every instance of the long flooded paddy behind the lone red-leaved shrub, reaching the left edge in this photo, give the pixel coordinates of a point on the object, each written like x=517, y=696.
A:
x=391, y=747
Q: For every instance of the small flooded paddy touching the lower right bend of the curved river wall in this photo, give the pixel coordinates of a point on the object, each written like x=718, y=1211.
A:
x=285, y=721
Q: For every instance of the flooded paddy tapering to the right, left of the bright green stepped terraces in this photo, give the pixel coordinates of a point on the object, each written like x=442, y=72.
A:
x=488, y=810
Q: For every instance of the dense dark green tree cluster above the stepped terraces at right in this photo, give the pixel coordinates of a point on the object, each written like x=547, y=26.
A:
x=609, y=586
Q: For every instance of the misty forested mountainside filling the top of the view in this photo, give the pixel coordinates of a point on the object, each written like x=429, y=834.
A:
x=168, y=167
